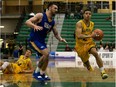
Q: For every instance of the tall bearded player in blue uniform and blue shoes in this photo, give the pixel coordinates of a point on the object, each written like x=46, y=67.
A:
x=42, y=24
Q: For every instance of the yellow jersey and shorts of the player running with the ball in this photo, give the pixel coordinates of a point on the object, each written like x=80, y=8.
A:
x=83, y=46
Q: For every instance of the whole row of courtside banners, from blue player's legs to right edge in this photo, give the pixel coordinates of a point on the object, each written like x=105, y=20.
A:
x=71, y=59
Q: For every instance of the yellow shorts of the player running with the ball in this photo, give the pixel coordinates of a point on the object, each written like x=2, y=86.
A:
x=83, y=50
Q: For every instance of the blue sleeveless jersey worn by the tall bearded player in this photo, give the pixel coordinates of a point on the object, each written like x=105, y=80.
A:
x=41, y=35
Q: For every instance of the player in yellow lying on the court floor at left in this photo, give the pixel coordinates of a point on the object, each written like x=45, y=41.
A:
x=23, y=65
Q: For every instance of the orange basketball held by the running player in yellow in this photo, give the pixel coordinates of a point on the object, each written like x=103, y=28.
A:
x=98, y=34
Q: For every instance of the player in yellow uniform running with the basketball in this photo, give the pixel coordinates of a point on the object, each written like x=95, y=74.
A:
x=85, y=44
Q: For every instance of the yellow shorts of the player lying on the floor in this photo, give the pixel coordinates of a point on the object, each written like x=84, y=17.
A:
x=13, y=69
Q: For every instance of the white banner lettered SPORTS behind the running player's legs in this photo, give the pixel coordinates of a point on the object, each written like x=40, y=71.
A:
x=108, y=58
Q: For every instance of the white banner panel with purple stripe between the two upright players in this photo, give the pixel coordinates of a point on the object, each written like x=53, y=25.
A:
x=65, y=59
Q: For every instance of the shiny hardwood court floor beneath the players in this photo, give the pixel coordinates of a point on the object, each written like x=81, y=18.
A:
x=61, y=77
